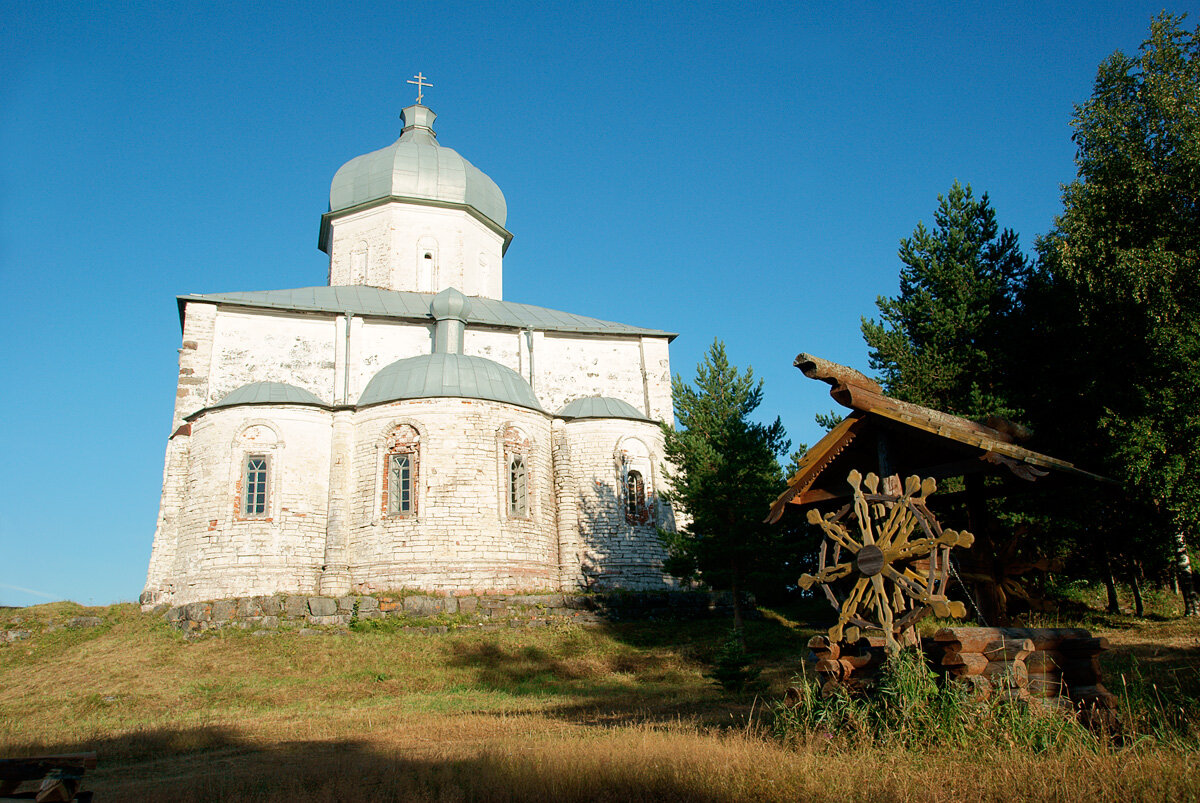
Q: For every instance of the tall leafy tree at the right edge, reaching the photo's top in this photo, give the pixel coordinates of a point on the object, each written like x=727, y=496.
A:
x=1120, y=279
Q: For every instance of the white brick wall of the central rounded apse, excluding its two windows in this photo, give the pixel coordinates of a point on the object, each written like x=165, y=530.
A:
x=461, y=538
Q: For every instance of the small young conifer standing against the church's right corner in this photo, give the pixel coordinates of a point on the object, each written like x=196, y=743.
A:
x=725, y=476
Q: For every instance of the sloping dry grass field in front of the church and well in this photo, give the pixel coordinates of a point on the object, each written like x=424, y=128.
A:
x=604, y=714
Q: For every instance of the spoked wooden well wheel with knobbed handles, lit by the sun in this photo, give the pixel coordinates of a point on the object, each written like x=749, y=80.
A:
x=885, y=561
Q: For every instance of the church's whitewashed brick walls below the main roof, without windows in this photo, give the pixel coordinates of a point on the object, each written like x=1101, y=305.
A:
x=463, y=543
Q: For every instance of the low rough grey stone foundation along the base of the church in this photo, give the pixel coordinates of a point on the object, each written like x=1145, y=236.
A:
x=443, y=614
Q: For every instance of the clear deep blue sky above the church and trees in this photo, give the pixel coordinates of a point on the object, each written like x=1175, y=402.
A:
x=742, y=172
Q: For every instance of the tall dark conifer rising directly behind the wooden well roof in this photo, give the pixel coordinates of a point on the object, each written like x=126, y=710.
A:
x=941, y=343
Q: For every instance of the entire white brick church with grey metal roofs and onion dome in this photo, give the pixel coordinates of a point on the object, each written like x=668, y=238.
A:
x=405, y=427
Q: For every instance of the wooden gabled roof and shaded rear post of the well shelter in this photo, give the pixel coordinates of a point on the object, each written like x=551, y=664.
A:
x=895, y=440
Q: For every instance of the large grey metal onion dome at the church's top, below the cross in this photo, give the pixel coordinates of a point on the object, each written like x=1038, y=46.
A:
x=417, y=167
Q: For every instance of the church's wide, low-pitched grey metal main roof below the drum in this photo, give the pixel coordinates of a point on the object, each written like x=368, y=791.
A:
x=363, y=301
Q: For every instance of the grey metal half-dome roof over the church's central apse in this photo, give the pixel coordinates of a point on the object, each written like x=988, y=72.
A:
x=433, y=376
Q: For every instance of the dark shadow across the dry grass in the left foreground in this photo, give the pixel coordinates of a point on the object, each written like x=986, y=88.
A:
x=214, y=764
